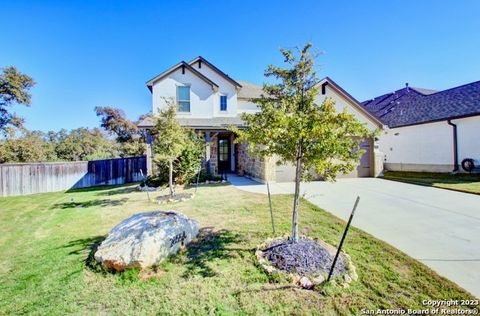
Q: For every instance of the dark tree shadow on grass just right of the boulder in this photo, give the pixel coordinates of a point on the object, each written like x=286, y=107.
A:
x=210, y=246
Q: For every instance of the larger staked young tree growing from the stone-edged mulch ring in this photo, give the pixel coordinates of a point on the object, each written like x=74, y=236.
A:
x=292, y=127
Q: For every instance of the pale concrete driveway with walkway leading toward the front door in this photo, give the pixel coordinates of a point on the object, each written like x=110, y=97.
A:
x=438, y=227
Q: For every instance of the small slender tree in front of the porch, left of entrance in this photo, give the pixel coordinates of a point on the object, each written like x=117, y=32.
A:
x=169, y=139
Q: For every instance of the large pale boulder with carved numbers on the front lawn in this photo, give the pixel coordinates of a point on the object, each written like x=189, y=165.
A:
x=145, y=239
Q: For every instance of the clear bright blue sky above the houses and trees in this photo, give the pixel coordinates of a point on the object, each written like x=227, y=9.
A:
x=84, y=54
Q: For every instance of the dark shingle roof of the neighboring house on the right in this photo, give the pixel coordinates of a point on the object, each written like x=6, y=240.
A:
x=410, y=106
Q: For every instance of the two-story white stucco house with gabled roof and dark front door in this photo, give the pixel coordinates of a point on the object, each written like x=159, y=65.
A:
x=210, y=101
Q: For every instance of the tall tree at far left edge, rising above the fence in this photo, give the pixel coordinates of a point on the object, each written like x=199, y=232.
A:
x=14, y=88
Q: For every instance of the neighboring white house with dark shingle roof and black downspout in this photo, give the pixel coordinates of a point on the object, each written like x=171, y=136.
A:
x=429, y=130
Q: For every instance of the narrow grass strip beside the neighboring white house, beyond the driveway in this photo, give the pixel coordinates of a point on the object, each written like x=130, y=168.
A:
x=469, y=183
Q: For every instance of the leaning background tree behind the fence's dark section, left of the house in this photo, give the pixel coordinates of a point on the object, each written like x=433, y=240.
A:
x=128, y=135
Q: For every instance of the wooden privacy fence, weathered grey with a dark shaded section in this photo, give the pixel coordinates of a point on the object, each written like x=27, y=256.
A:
x=29, y=178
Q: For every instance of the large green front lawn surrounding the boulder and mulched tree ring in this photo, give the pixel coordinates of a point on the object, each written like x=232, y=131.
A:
x=46, y=267
